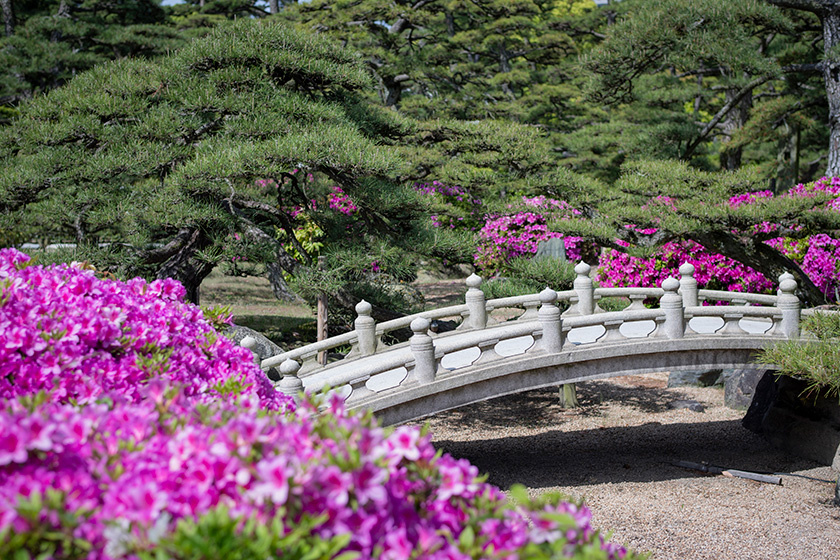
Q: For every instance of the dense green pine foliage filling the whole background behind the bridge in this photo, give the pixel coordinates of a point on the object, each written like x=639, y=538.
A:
x=159, y=153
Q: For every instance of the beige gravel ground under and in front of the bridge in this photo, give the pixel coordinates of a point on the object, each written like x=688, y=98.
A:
x=616, y=452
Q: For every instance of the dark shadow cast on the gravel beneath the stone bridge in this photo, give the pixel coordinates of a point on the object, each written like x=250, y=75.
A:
x=642, y=453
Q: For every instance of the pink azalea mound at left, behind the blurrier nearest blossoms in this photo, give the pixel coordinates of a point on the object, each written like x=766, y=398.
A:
x=79, y=337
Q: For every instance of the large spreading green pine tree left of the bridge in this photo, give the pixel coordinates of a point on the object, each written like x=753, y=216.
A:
x=161, y=159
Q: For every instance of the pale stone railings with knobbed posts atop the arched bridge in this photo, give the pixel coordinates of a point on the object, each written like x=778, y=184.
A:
x=679, y=304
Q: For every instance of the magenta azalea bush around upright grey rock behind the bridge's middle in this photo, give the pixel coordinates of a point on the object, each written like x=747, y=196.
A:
x=504, y=238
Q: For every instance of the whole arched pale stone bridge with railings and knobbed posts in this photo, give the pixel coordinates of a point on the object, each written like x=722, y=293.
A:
x=488, y=356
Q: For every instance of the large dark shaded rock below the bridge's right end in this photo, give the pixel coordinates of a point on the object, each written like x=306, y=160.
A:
x=794, y=421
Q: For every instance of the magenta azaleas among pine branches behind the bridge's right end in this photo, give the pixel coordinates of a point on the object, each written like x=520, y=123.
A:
x=818, y=255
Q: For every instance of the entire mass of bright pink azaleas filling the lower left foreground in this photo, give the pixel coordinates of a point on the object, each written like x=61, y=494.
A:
x=130, y=429
